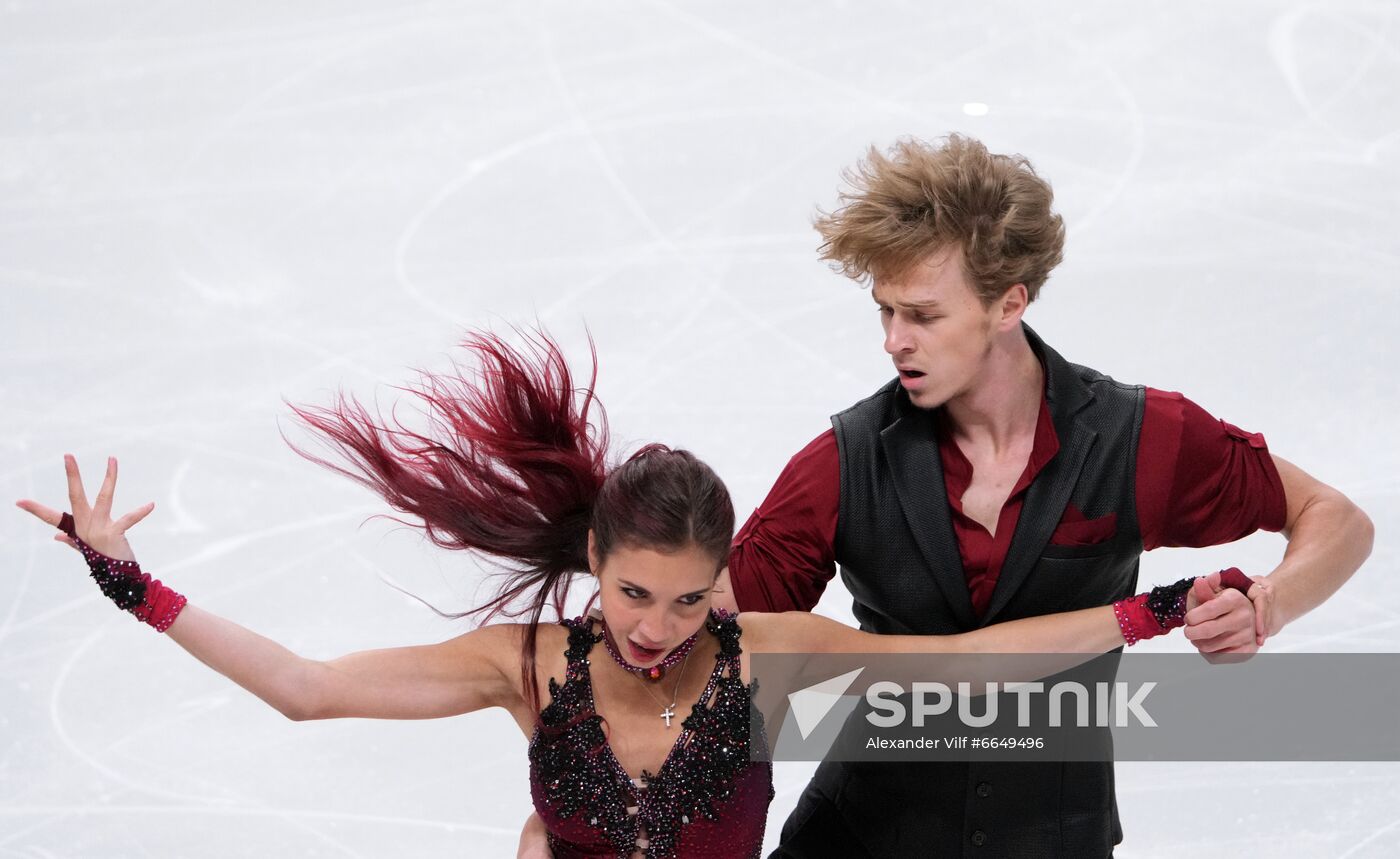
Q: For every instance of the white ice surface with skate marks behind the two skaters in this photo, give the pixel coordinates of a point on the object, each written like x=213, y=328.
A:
x=209, y=208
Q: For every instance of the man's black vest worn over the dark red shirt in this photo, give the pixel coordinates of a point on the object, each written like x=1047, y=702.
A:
x=899, y=559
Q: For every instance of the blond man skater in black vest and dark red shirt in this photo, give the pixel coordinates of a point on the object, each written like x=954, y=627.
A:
x=996, y=481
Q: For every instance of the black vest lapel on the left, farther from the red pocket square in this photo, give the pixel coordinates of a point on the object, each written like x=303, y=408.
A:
x=918, y=474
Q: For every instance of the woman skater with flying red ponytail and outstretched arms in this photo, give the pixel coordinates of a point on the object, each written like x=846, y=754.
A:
x=631, y=753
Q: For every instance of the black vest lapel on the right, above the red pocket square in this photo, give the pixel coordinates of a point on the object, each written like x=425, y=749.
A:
x=1049, y=493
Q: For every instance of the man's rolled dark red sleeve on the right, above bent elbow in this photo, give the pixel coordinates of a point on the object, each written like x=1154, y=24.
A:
x=1202, y=481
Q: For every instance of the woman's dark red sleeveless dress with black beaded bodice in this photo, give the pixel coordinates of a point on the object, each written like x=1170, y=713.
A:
x=709, y=800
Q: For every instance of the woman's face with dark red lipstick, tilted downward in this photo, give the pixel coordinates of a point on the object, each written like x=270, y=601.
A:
x=653, y=601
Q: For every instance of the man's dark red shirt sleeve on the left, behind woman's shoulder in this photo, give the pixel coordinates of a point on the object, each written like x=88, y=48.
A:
x=785, y=555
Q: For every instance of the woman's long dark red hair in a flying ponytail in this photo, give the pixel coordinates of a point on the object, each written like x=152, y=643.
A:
x=516, y=467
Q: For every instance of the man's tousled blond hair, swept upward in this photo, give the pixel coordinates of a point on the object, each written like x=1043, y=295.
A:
x=925, y=198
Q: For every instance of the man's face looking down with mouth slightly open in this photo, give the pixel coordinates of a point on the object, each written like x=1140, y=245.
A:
x=937, y=332
